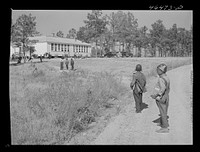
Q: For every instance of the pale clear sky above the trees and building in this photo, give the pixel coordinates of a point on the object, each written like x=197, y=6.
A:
x=51, y=21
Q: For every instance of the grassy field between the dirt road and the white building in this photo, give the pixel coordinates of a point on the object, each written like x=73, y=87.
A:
x=49, y=106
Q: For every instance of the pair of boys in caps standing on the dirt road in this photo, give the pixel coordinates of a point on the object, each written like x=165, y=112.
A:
x=160, y=94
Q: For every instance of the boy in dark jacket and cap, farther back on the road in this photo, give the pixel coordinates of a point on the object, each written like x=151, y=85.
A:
x=138, y=84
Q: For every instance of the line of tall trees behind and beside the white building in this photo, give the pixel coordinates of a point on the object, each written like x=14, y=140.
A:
x=117, y=28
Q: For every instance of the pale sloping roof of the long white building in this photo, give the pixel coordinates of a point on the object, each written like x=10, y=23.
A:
x=58, y=40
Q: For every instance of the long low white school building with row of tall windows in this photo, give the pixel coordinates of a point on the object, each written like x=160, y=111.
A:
x=57, y=46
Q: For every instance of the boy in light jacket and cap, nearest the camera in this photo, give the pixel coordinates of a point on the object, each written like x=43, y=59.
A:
x=161, y=96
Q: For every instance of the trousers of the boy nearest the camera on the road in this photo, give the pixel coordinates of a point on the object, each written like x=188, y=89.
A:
x=163, y=108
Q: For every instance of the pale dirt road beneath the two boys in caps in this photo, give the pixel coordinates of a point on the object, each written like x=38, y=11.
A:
x=130, y=128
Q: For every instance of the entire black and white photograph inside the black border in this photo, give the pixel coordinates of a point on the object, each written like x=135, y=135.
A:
x=101, y=77
